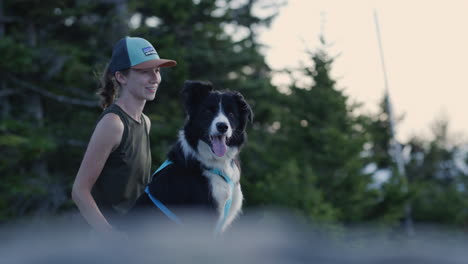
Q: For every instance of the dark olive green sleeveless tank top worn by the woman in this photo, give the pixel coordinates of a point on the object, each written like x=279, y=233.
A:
x=127, y=170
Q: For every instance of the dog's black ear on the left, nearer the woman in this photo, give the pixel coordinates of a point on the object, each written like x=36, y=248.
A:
x=194, y=92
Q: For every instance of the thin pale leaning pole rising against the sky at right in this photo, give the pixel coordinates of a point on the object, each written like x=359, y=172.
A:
x=395, y=146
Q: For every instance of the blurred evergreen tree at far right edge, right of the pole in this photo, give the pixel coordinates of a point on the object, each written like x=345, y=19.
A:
x=439, y=183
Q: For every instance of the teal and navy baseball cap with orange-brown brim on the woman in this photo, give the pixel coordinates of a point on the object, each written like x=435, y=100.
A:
x=136, y=53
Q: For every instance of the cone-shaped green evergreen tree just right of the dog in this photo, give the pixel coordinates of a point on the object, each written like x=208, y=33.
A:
x=318, y=143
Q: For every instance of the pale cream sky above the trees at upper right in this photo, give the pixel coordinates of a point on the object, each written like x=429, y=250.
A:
x=425, y=45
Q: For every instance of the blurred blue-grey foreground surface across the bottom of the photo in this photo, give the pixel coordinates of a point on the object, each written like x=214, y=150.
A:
x=257, y=237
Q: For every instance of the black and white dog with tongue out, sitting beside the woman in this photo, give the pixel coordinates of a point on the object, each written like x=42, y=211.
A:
x=203, y=169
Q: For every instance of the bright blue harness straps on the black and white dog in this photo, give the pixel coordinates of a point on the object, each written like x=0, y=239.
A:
x=174, y=218
